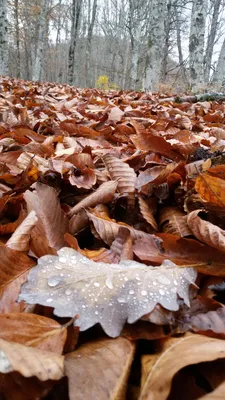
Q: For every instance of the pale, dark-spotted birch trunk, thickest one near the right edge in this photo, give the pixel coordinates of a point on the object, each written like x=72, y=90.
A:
x=196, y=43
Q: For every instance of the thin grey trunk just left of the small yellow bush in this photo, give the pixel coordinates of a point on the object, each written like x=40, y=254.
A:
x=88, y=77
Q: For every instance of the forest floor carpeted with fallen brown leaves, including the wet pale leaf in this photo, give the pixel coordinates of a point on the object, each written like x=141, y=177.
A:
x=112, y=245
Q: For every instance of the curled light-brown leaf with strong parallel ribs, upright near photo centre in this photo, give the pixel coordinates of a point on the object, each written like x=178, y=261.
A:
x=121, y=171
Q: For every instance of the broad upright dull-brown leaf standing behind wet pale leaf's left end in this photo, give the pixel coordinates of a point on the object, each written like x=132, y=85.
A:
x=45, y=203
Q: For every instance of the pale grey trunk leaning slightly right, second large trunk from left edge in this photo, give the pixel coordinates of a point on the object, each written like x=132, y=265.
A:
x=41, y=43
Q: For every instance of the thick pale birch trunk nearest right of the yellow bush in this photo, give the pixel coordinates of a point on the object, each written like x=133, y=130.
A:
x=155, y=45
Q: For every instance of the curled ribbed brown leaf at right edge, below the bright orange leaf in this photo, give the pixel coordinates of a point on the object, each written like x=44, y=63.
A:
x=205, y=231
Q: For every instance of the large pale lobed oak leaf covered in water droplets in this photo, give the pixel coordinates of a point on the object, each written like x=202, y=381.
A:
x=109, y=294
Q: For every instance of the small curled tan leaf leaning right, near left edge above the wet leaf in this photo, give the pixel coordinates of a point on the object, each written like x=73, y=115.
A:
x=21, y=237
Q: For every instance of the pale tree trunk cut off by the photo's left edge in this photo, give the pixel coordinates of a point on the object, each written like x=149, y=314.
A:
x=4, y=60
